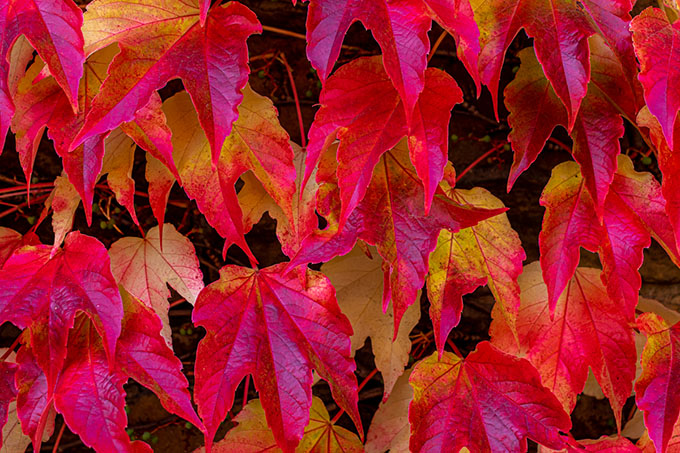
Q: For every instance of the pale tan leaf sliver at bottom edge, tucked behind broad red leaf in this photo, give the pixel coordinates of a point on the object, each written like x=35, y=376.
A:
x=390, y=428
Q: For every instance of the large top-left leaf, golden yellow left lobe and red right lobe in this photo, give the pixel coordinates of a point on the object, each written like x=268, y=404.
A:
x=155, y=43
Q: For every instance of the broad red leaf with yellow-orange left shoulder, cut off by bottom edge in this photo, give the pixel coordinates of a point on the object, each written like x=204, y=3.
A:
x=486, y=402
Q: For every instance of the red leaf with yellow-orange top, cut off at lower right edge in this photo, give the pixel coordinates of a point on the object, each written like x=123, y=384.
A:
x=660, y=370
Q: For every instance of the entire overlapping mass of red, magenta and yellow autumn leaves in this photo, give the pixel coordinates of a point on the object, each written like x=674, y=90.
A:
x=376, y=169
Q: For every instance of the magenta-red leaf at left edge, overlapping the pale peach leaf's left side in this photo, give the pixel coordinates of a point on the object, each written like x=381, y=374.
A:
x=42, y=292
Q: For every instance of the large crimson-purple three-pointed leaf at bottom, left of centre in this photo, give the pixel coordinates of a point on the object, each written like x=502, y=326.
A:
x=269, y=325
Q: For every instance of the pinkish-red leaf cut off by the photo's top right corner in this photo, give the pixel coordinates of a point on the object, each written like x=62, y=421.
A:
x=657, y=45
